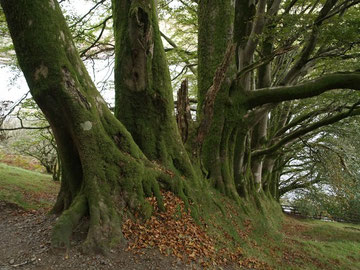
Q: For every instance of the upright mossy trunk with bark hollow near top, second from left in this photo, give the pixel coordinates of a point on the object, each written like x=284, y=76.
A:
x=144, y=98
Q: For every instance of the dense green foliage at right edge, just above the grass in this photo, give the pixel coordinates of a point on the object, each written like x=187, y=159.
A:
x=337, y=165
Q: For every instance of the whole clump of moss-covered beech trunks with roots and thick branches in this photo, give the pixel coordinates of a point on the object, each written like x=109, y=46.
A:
x=112, y=161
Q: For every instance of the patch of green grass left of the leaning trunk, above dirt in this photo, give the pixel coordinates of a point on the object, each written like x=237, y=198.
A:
x=27, y=189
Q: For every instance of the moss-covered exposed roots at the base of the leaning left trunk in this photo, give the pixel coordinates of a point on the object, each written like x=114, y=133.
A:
x=104, y=203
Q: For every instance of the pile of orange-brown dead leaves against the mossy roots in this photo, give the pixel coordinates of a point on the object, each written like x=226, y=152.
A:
x=175, y=233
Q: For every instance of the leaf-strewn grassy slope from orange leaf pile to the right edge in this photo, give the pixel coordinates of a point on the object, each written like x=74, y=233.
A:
x=282, y=242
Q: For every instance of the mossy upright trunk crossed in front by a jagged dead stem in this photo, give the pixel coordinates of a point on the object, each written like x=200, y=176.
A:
x=215, y=32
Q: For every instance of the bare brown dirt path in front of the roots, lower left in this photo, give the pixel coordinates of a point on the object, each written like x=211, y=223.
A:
x=25, y=244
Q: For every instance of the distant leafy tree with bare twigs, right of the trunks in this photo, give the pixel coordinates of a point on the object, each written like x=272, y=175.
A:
x=334, y=160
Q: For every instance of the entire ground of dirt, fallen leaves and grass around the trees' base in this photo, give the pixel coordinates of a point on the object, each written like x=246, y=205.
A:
x=169, y=240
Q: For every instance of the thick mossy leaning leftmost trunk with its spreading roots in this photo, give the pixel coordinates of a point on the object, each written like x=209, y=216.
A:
x=103, y=168
